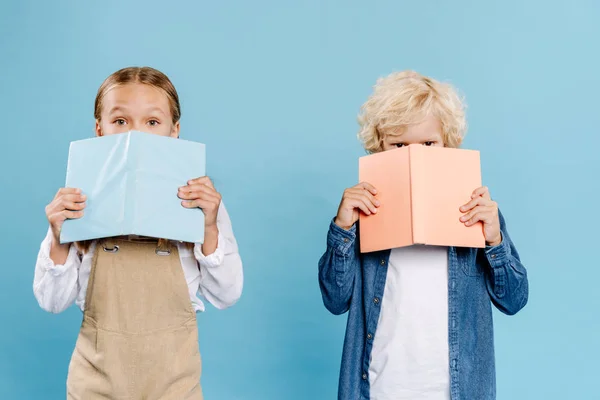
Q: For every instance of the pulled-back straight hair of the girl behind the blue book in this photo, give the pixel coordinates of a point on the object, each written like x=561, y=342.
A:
x=146, y=76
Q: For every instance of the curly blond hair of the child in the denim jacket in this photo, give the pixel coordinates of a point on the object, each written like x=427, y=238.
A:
x=407, y=98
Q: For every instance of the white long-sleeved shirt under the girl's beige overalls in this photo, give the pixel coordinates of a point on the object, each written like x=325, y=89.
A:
x=217, y=277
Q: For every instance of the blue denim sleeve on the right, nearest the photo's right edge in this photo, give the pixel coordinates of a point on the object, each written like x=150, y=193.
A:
x=507, y=281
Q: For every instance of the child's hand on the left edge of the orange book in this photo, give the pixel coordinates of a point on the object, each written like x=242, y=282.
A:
x=355, y=199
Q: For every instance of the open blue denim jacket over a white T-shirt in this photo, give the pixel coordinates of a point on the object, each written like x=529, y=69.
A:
x=354, y=282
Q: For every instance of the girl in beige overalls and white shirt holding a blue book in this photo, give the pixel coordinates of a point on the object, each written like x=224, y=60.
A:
x=139, y=337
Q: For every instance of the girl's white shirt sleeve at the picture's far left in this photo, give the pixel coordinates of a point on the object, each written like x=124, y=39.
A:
x=56, y=286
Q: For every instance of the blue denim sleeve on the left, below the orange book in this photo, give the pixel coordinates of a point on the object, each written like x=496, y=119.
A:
x=338, y=268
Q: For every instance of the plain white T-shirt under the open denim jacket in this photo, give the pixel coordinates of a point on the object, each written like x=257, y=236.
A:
x=410, y=357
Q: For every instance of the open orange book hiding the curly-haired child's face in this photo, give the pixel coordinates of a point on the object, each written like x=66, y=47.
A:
x=421, y=190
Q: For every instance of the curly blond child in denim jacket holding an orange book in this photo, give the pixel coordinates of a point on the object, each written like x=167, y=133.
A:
x=420, y=318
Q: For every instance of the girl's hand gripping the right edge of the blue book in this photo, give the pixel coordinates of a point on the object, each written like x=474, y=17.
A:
x=201, y=193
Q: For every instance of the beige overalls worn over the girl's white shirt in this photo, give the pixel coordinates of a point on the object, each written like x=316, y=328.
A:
x=139, y=338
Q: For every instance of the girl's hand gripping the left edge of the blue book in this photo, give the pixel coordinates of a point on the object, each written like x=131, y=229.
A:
x=68, y=203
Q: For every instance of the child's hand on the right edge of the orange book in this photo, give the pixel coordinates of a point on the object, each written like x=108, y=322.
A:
x=483, y=208
